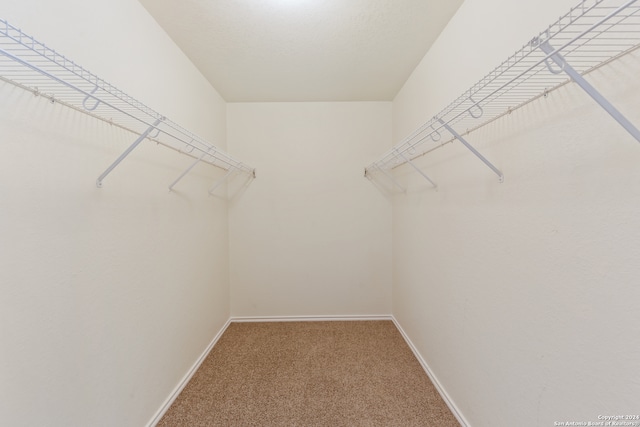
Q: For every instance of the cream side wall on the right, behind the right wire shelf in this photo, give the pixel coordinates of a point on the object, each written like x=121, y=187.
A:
x=522, y=296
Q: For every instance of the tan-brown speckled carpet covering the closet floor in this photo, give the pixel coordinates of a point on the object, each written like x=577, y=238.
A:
x=358, y=373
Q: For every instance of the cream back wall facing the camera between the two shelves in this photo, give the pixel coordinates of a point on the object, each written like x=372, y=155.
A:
x=310, y=236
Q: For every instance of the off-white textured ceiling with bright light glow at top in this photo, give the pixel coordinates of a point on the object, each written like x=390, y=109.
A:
x=304, y=50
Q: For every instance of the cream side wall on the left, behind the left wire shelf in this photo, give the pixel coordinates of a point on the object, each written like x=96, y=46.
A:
x=108, y=296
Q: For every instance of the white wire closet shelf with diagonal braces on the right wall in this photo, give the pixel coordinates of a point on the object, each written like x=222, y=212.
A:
x=591, y=34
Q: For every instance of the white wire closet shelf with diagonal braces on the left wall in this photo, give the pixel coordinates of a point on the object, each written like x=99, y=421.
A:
x=33, y=66
